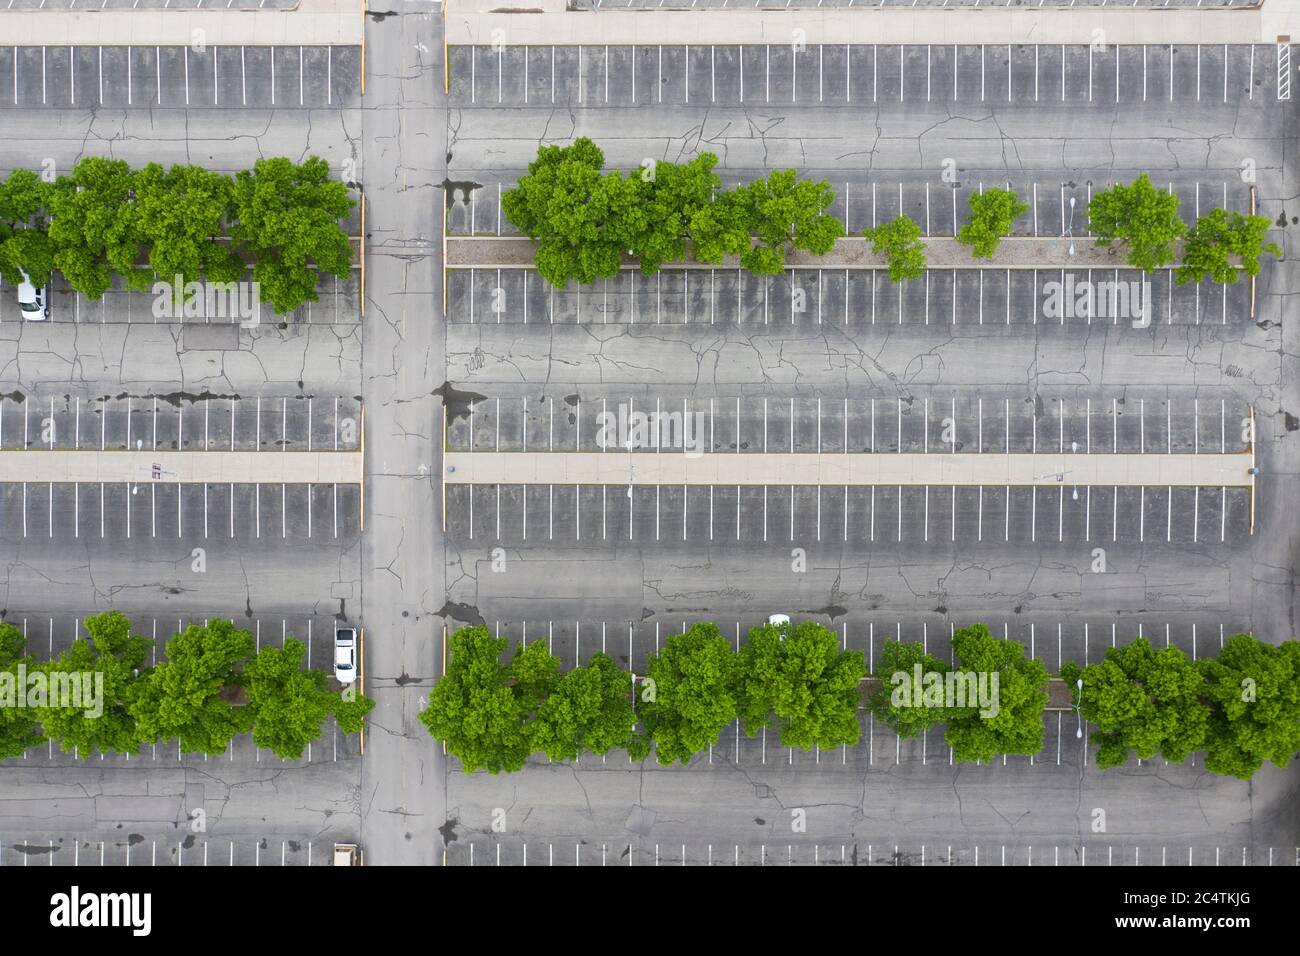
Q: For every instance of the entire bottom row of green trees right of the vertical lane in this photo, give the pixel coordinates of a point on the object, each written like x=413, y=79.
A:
x=1242, y=708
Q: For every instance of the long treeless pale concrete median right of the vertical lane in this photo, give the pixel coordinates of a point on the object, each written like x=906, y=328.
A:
x=860, y=470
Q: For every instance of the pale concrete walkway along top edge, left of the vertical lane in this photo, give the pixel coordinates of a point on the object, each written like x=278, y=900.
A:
x=314, y=23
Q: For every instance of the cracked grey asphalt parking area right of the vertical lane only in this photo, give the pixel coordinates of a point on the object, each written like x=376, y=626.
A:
x=586, y=576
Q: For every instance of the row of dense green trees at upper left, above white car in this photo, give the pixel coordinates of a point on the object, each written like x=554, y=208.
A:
x=106, y=220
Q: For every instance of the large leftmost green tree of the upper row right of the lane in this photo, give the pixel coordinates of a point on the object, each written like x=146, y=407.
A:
x=575, y=213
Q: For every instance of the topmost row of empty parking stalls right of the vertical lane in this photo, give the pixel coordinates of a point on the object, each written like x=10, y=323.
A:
x=788, y=73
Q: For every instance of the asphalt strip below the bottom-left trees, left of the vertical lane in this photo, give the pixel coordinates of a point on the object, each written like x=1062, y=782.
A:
x=180, y=814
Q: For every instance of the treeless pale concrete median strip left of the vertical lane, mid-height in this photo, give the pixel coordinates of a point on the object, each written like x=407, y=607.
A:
x=183, y=468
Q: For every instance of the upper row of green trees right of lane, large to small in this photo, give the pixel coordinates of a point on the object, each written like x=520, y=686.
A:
x=586, y=220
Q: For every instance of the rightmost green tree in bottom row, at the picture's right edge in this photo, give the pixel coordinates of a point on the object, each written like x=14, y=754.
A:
x=1255, y=694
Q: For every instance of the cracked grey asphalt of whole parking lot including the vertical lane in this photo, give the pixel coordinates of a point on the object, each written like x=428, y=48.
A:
x=622, y=576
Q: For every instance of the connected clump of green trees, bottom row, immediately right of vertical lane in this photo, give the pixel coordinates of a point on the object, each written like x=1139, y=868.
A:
x=493, y=716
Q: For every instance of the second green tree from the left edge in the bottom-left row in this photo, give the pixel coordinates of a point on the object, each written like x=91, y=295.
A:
x=114, y=655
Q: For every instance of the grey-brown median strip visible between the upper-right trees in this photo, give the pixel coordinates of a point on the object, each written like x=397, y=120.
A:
x=942, y=253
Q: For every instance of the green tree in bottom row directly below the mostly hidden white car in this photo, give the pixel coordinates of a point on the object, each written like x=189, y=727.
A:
x=800, y=682
